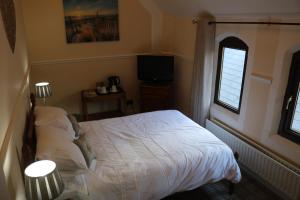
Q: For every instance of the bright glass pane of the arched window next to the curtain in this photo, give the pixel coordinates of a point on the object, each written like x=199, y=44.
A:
x=232, y=76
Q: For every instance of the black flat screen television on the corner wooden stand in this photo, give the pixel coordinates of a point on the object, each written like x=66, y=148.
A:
x=154, y=68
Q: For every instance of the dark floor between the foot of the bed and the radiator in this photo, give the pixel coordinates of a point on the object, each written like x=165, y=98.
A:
x=247, y=189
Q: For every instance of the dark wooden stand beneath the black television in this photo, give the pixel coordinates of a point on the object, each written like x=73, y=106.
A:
x=156, y=96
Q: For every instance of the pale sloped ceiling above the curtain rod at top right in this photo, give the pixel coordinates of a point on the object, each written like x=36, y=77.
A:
x=230, y=7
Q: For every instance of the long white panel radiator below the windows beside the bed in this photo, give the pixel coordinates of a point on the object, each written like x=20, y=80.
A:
x=278, y=176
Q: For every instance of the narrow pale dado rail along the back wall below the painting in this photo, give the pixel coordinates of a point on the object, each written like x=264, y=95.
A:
x=84, y=59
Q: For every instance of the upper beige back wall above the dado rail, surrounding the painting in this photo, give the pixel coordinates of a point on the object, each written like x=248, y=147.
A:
x=44, y=24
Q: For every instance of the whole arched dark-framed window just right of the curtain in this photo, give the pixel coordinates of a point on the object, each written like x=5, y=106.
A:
x=232, y=60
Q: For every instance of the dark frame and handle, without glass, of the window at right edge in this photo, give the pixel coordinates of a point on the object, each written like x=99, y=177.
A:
x=292, y=89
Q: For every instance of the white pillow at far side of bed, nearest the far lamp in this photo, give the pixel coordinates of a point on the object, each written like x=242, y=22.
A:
x=55, y=117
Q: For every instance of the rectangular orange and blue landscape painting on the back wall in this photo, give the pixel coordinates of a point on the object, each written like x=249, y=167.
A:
x=91, y=20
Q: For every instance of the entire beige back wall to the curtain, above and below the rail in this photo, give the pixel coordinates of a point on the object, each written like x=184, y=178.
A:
x=140, y=31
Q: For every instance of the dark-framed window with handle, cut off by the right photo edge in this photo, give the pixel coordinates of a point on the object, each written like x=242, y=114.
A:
x=290, y=115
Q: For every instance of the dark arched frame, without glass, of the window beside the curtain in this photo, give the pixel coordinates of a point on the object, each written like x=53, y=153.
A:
x=233, y=43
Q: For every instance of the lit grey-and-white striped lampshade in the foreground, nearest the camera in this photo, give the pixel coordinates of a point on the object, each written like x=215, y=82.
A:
x=43, y=181
